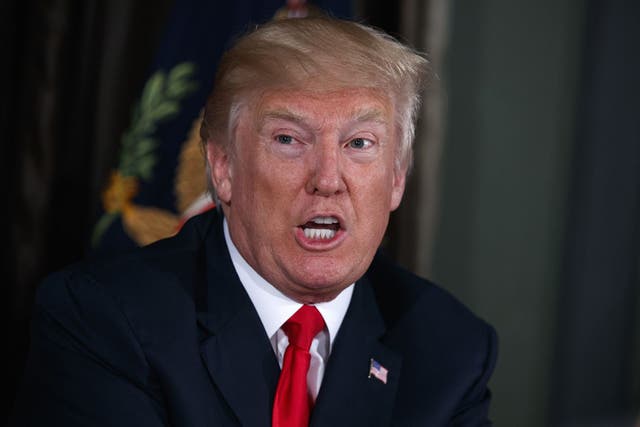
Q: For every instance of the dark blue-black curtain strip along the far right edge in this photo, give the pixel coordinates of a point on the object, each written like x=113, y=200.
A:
x=597, y=336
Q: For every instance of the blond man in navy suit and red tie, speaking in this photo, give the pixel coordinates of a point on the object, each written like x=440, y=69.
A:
x=307, y=136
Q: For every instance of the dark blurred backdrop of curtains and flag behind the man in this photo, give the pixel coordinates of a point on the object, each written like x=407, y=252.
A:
x=524, y=201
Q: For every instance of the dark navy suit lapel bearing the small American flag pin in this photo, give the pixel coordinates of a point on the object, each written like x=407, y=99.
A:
x=348, y=395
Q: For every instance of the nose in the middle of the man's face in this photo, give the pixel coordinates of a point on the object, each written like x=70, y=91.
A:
x=326, y=171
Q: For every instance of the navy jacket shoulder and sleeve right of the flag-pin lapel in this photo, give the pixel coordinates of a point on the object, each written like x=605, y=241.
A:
x=448, y=352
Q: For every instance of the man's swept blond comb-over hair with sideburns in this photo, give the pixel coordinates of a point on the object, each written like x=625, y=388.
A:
x=319, y=53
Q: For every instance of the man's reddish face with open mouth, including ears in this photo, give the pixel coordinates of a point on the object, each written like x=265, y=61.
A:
x=308, y=185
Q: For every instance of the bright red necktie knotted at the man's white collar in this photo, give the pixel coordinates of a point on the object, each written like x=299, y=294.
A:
x=292, y=405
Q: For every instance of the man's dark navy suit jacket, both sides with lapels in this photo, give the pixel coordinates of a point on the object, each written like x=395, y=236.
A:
x=167, y=336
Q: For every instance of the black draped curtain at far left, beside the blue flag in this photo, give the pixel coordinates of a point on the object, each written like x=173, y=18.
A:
x=69, y=68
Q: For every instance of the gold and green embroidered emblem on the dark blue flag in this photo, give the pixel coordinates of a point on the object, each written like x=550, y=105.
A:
x=160, y=101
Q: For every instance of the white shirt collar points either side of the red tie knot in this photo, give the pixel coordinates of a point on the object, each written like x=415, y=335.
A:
x=274, y=307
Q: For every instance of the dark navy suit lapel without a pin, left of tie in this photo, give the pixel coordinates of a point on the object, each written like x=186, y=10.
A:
x=234, y=346
